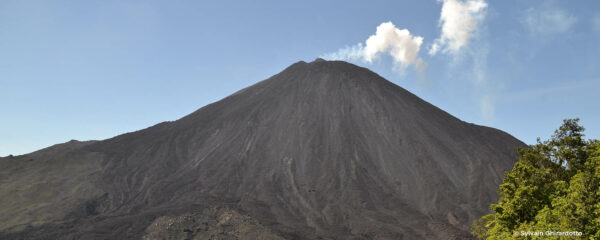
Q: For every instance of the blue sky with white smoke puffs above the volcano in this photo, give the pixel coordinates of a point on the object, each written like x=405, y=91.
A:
x=95, y=69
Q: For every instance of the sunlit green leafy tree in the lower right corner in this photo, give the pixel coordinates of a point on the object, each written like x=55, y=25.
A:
x=555, y=186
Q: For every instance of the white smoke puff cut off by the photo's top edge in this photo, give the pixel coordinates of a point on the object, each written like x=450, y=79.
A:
x=459, y=21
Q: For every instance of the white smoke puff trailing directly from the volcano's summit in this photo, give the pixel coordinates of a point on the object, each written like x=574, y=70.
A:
x=398, y=43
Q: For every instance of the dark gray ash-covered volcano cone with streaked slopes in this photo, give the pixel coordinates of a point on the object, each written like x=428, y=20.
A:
x=322, y=150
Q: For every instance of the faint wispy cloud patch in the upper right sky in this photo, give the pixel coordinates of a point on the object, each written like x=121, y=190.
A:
x=547, y=21
